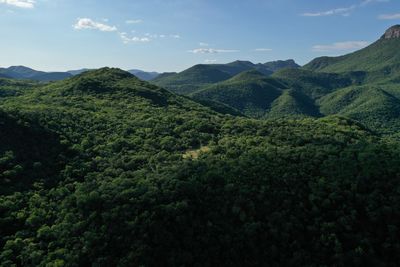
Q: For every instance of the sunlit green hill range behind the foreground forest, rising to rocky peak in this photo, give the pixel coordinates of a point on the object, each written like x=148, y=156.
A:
x=363, y=85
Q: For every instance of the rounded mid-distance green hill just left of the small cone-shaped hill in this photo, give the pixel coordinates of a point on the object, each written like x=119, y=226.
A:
x=250, y=92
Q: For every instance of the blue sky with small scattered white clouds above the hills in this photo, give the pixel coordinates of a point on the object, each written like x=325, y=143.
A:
x=172, y=35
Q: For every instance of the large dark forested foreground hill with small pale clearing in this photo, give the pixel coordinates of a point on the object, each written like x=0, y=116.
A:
x=103, y=169
